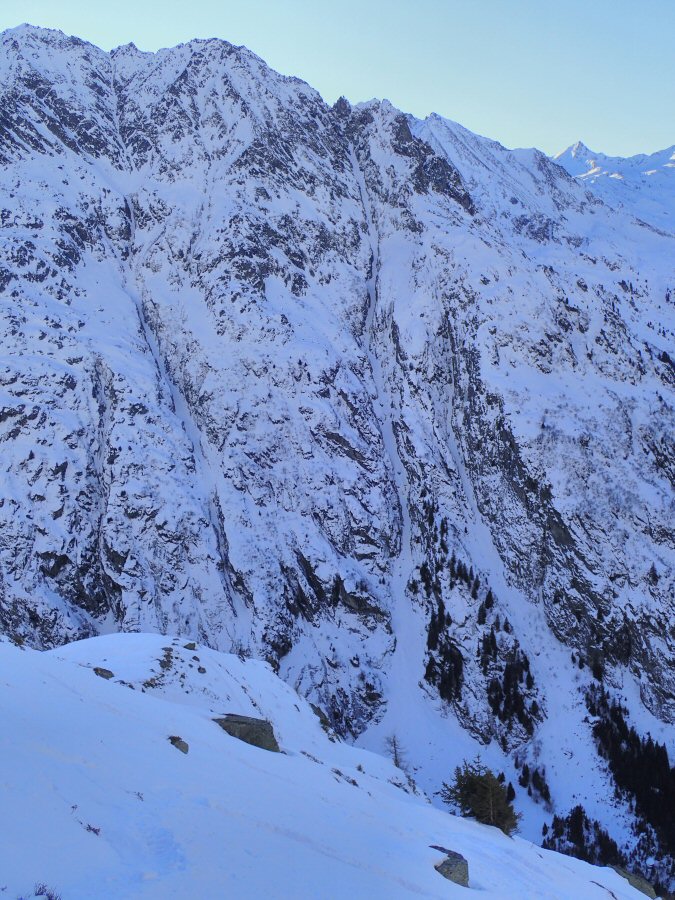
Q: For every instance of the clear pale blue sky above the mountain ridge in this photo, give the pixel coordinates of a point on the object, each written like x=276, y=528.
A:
x=525, y=72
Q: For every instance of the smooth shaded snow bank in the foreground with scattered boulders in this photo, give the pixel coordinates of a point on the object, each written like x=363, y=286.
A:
x=97, y=803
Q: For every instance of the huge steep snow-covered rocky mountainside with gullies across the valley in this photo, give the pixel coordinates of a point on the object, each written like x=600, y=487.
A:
x=372, y=398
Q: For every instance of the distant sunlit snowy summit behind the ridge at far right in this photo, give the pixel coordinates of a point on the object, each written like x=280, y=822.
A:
x=643, y=184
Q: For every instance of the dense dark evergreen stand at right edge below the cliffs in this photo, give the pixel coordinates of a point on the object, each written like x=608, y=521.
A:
x=640, y=766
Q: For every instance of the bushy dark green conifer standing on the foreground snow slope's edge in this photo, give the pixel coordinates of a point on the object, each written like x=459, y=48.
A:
x=476, y=791
